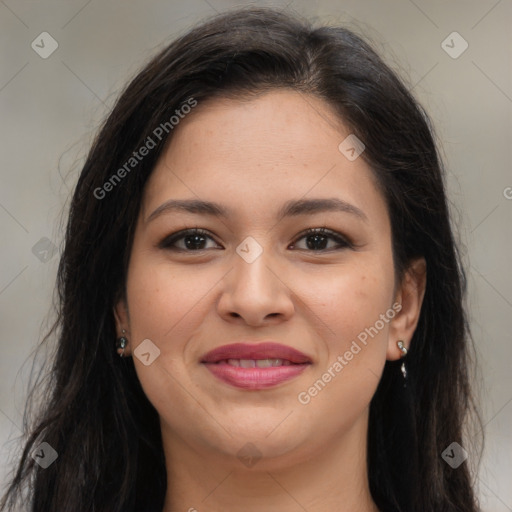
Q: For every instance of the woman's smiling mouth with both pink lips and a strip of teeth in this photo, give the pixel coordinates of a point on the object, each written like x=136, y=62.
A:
x=254, y=367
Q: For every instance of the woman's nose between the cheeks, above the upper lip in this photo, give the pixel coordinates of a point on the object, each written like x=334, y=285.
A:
x=255, y=293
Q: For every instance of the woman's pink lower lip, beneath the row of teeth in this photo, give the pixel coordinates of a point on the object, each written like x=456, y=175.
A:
x=255, y=378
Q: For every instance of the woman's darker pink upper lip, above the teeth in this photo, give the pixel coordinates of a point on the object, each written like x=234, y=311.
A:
x=266, y=350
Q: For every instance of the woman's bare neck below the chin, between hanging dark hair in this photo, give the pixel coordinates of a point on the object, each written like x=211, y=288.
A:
x=329, y=478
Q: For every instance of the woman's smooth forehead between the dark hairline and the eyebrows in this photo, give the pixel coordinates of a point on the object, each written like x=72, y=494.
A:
x=278, y=145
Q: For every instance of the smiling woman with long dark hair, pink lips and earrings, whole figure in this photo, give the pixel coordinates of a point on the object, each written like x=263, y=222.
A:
x=261, y=232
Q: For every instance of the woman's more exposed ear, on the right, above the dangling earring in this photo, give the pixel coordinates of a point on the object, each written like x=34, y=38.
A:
x=410, y=295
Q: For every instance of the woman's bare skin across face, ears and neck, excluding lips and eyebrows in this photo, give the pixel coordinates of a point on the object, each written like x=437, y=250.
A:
x=310, y=292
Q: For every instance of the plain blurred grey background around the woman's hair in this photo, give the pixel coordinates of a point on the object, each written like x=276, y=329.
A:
x=51, y=107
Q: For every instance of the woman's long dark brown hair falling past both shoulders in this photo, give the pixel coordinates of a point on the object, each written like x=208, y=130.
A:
x=96, y=415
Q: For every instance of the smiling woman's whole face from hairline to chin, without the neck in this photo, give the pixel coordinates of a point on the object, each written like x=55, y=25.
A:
x=254, y=275
